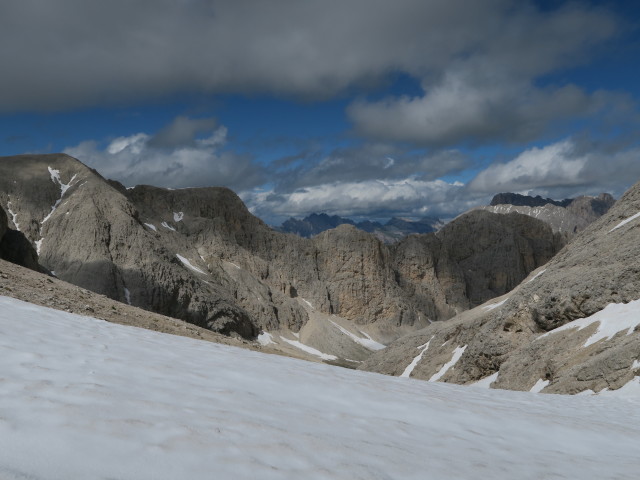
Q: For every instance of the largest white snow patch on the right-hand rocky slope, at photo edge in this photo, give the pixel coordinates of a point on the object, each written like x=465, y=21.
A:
x=612, y=319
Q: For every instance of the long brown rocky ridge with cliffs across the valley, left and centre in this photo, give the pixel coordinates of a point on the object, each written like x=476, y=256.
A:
x=199, y=255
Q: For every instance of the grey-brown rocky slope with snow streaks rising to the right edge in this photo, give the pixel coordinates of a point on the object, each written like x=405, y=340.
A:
x=573, y=326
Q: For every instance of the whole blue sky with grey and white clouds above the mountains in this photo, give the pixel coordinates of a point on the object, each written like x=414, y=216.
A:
x=360, y=108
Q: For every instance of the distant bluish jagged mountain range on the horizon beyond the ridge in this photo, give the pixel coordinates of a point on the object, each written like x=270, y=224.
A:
x=390, y=232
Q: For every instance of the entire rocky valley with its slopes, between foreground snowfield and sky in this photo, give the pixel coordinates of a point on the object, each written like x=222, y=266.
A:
x=513, y=296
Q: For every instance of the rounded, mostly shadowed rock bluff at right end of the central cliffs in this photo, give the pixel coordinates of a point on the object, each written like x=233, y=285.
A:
x=476, y=257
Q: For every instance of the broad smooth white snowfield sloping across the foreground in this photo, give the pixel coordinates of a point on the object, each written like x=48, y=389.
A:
x=83, y=399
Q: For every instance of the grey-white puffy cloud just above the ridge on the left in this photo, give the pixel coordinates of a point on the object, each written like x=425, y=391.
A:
x=177, y=161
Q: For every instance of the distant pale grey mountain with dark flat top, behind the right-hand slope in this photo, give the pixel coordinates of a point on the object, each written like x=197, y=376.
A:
x=568, y=216
